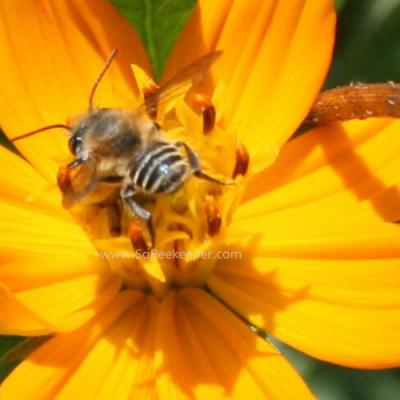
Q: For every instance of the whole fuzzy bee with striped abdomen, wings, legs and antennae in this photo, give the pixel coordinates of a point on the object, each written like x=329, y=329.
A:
x=127, y=149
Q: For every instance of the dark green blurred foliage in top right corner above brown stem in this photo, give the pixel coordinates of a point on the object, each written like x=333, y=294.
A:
x=367, y=47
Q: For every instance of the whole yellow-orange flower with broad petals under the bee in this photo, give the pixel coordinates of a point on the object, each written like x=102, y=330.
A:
x=316, y=244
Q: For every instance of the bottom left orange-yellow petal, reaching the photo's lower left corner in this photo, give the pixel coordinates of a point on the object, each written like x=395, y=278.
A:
x=109, y=357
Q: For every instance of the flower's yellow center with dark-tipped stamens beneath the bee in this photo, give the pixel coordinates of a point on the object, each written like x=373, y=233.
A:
x=187, y=228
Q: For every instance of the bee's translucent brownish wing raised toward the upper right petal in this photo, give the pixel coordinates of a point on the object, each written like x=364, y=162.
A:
x=181, y=83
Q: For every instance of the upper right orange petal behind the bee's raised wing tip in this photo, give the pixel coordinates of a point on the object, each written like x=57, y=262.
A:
x=276, y=55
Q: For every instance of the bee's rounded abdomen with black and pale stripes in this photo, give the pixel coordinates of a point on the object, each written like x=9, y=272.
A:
x=159, y=169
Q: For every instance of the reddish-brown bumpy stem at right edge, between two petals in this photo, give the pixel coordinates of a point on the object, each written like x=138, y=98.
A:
x=357, y=101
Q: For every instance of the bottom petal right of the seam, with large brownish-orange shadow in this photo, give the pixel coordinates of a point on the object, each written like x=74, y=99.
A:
x=207, y=352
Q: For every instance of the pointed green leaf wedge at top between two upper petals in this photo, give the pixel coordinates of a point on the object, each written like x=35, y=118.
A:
x=158, y=23
